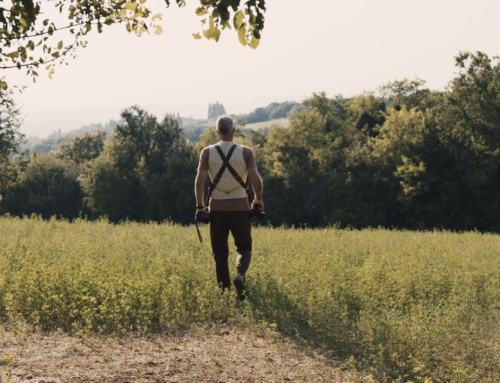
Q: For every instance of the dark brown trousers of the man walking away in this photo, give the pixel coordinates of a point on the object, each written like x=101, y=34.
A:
x=238, y=223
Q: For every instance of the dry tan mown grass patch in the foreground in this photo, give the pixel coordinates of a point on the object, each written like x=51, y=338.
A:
x=215, y=355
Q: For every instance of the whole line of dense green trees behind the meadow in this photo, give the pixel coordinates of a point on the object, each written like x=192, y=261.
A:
x=405, y=157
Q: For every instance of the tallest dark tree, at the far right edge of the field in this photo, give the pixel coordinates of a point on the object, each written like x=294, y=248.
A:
x=463, y=169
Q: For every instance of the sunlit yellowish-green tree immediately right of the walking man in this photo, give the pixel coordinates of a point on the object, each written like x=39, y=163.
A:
x=298, y=161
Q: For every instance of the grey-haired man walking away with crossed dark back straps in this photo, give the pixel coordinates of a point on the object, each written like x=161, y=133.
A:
x=228, y=203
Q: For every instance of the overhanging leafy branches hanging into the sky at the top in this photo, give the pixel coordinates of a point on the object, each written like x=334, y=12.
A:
x=27, y=37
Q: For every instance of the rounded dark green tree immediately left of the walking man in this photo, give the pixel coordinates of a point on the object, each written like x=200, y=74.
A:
x=135, y=177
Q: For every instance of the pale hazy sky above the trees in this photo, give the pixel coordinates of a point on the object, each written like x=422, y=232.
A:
x=308, y=46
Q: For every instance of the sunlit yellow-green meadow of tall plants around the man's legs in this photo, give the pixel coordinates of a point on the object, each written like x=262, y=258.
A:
x=399, y=306
